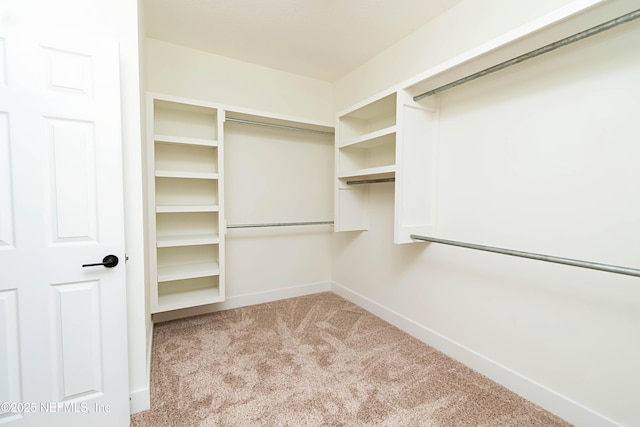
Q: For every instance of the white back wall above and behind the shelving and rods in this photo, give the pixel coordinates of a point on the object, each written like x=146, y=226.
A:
x=270, y=175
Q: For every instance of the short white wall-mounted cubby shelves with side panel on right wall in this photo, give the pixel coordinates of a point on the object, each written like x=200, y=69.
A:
x=387, y=139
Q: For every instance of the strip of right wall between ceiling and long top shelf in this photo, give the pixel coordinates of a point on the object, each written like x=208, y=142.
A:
x=465, y=26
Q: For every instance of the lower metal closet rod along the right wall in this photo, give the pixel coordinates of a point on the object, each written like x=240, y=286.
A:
x=558, y=260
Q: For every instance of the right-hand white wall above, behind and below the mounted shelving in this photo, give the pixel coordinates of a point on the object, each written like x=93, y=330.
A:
x=542, y=158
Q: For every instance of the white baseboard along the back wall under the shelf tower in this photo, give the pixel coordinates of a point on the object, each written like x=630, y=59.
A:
x=245, y=300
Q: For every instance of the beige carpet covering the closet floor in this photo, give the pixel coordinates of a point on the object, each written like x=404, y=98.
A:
x=317, y=360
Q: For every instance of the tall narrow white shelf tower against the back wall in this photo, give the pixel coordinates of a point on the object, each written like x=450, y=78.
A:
x=185, y=186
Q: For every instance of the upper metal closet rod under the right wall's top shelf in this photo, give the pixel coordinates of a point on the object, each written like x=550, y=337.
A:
x=532, y=54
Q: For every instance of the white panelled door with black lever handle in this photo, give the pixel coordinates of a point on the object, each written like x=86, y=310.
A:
x=63, y=348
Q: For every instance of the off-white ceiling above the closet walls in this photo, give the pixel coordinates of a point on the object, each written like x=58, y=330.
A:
x=321, y=39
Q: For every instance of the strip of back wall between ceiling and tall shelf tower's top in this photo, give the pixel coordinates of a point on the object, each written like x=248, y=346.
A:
x=190, y=73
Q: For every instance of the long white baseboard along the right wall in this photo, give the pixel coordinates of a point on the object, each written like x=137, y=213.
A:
x=553, y=402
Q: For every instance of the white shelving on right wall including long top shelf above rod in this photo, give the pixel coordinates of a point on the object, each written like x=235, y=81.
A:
x=393, y=135
